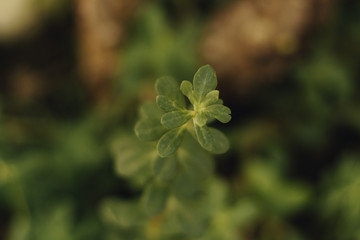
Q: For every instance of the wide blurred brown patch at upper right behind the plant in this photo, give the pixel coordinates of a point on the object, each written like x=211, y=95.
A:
x=251, y=41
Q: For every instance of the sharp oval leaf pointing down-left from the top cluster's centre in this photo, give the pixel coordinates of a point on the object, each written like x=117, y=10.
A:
x=170, y=142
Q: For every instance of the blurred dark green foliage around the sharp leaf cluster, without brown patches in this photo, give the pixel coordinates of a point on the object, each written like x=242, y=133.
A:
x=69, y=170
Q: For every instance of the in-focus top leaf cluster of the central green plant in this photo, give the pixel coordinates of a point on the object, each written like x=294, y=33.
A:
x=205, y=105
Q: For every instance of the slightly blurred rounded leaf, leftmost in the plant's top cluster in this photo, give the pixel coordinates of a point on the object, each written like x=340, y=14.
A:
x=149, y=129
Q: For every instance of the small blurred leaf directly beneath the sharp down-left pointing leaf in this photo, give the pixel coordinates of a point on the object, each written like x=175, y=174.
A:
x=165, y=168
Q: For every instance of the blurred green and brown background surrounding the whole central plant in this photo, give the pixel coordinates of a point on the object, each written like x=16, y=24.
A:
x=73, y=74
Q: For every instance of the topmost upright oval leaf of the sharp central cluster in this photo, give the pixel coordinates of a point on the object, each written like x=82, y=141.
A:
x=204, y=82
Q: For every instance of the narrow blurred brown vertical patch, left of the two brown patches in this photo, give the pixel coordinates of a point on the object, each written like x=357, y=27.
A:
x=101, y=30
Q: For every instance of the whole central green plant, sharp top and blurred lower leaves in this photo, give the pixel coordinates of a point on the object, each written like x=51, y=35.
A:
x=175, y=169
